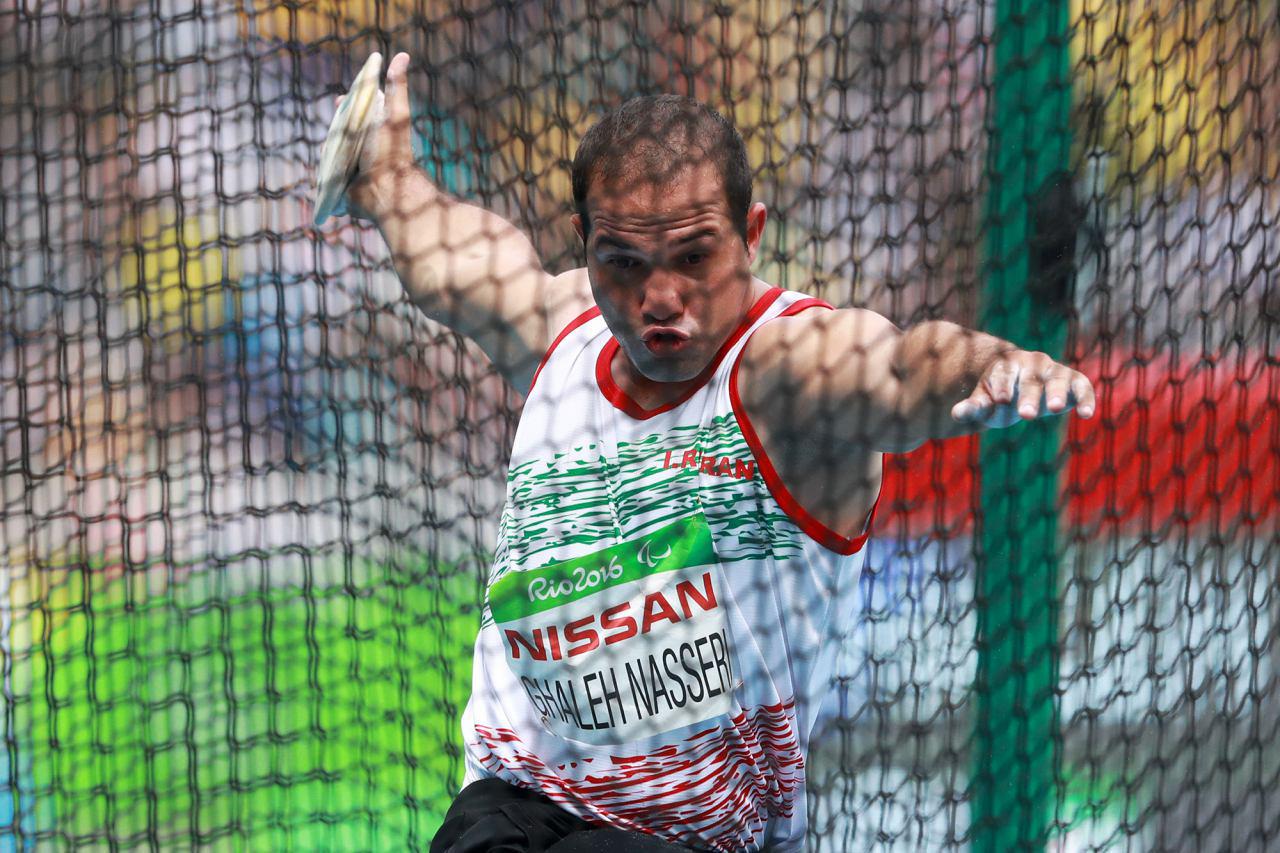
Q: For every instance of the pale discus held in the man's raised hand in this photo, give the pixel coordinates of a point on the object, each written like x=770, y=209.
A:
x=358, y=113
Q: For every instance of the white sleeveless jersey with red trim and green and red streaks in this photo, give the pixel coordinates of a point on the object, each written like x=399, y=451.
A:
x=662, y=619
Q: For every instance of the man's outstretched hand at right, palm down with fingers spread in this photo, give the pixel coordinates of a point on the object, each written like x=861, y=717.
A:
x=1026, y=386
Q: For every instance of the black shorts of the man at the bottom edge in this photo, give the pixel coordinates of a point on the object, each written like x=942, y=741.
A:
x=492, y=816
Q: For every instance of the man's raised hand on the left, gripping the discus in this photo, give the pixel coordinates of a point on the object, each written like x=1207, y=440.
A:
x=387, y=165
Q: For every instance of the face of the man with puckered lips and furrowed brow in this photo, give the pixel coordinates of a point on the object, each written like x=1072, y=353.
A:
x=670, y=272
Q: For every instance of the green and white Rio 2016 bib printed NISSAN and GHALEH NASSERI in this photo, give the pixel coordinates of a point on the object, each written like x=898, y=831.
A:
x=623, y=644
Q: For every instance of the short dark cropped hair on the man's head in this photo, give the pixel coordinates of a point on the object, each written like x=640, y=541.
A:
x=657, y=136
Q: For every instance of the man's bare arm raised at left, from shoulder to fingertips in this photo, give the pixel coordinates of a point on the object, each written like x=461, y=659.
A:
x=463, y=266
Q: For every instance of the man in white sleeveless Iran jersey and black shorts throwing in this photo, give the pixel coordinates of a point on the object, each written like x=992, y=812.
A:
x=691, y=487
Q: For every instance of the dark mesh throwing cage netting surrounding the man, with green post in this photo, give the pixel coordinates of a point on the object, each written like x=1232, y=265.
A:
x=249, y=494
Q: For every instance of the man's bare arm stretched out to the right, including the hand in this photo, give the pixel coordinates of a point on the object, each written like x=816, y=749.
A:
x=853, y=380
